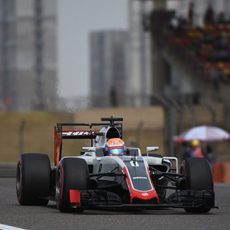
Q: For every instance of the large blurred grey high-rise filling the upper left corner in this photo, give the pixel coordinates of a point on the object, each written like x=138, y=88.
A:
x=28, y=54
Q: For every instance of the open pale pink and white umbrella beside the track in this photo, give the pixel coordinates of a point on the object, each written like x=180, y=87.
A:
x=203, y=133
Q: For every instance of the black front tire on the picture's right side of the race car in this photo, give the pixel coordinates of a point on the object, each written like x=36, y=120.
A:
x=198, y=177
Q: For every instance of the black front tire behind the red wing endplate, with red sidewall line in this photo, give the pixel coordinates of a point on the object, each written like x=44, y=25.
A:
x=72, y=173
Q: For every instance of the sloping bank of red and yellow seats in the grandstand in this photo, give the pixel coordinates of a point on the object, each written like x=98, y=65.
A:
x=207, y=49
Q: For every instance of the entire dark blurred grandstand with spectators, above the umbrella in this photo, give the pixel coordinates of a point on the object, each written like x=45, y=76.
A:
x=190, y=67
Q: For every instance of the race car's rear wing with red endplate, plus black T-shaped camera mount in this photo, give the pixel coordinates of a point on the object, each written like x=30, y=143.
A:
x=81, y=131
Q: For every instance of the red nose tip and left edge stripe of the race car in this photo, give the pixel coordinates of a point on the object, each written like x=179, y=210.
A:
x=142, y=195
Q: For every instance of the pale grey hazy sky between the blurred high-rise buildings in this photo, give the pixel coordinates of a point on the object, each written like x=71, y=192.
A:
x=76, y=18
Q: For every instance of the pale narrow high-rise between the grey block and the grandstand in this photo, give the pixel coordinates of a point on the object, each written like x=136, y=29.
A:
x=139, y=78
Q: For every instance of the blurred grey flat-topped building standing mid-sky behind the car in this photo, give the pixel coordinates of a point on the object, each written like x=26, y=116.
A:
x=109, y=67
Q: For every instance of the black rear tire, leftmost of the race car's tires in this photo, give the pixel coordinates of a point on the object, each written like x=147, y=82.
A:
x=33, y=179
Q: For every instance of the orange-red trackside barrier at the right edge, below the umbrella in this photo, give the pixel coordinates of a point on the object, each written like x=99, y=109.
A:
x=221, y=172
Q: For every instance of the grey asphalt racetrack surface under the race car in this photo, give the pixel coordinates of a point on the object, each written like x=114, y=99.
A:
x=42, y=218
